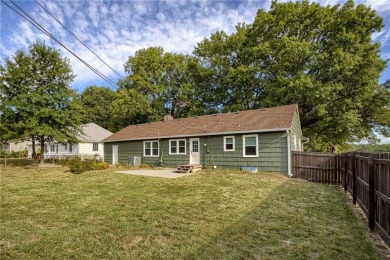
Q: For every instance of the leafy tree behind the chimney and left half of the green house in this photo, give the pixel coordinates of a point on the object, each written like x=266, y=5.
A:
x=163, y=79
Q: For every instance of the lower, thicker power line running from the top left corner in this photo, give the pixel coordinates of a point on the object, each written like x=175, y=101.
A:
x=42, y=29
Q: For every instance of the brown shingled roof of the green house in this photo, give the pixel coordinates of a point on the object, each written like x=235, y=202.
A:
x=261, y=120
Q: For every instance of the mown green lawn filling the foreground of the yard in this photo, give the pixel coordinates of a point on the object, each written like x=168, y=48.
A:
x=51, y=213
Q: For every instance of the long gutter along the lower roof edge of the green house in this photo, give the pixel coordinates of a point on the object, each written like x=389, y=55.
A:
x=200, y=134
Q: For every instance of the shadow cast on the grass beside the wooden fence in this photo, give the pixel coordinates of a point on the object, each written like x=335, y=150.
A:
x=299, y=220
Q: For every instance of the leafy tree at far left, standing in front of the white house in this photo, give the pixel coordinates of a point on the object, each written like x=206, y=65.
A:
x=37, y=102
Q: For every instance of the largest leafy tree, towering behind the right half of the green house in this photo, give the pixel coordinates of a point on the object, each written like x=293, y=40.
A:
x=321, y=58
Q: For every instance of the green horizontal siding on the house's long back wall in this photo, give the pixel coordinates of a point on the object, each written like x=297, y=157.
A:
x=272, y=153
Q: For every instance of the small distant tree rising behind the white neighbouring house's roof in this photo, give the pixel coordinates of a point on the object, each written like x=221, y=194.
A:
x=97, y=105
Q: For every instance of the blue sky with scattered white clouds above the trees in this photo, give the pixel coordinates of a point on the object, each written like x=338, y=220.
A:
x=115, y=30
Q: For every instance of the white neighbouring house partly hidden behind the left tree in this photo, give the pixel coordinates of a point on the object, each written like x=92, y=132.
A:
x=90, y=144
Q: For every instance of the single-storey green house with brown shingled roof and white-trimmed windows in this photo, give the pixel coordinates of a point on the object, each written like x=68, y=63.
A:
x=260, y=139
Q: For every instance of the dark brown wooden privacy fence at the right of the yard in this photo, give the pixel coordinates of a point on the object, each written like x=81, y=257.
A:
x=366, y=176
